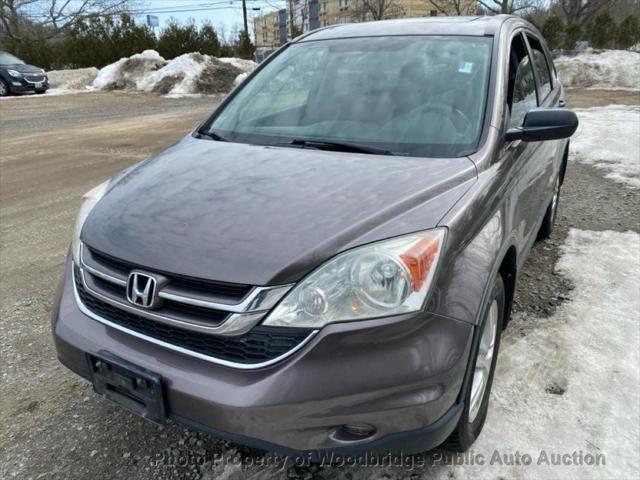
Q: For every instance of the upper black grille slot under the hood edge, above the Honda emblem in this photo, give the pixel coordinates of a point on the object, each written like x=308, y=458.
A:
x=231, y=291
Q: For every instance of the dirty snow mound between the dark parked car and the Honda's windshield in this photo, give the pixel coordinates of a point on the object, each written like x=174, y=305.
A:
x=191, y=73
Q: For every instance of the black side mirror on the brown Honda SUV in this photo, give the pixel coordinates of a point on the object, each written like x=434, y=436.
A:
x=544, y=124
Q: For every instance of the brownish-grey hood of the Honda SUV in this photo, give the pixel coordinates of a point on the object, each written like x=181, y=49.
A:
x=265, y=215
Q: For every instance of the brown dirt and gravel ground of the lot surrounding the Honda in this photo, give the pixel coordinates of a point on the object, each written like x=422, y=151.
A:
x=55, y=148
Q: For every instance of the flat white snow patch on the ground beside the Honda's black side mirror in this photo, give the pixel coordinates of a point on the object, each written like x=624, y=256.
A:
x=609, y=138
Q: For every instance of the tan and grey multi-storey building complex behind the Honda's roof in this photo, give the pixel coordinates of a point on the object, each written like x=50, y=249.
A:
x=273, y=29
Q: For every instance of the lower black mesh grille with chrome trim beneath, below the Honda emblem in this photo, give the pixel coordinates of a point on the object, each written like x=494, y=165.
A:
x=259, y=345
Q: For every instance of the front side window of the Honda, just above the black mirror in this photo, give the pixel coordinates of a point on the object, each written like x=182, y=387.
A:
x=522, y=86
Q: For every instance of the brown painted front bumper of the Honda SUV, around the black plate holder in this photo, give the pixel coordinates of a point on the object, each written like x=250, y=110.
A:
x=401, y=375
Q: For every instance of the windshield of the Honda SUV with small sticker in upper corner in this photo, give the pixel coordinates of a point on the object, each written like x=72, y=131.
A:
x=410, y=95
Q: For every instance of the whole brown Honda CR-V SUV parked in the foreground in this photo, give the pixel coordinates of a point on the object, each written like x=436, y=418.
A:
x=328, y=261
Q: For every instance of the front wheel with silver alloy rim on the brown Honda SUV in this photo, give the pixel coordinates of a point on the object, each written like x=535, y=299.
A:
x=478, y=388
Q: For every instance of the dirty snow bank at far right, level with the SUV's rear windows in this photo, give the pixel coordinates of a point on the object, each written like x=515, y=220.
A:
x=608, y=70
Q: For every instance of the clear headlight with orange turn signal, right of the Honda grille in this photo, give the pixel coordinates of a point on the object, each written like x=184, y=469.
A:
x=383, y=278
